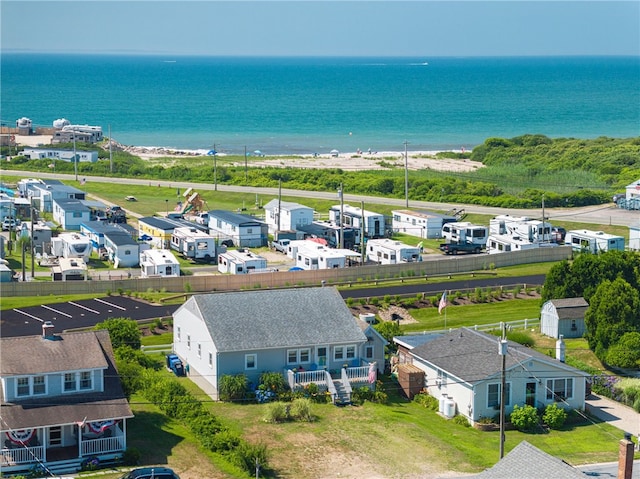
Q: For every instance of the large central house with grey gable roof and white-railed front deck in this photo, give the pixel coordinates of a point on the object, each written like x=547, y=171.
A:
x=309, y=330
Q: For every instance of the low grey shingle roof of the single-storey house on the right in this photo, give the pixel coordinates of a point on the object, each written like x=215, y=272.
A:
x=472, y=356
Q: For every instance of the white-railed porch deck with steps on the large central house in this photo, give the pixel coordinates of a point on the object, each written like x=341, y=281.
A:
x=338, y=383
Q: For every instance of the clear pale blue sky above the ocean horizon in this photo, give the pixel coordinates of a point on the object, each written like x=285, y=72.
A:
x=415, y=28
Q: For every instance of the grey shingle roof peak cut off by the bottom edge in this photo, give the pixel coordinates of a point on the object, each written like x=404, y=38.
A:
x=528, y=462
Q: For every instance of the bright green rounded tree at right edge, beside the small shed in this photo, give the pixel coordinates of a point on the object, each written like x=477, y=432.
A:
x=613, y=311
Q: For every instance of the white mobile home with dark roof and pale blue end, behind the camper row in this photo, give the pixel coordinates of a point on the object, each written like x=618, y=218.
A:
x=243, y=230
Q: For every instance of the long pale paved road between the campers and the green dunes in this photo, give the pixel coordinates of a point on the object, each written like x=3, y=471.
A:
x=607, y=214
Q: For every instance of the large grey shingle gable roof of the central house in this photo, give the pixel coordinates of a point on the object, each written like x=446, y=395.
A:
x=246, y=321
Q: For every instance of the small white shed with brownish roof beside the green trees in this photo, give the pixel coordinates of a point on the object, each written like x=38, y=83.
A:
x=563, y=317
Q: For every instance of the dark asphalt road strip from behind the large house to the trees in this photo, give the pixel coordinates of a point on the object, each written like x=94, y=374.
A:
x=438, y=288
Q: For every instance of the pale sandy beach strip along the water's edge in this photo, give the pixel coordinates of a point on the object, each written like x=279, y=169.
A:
x=353, y=161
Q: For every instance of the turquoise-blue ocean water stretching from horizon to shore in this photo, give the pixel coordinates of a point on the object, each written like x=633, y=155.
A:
x=306, y=105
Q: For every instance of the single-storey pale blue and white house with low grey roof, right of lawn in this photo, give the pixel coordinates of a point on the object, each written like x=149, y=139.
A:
x=464, y=368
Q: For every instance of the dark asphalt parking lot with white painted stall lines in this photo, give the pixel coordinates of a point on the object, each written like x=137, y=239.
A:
x=78, y=314
